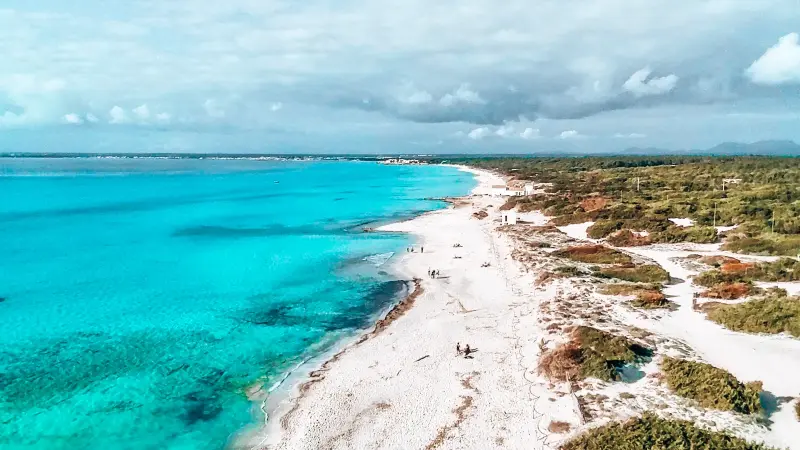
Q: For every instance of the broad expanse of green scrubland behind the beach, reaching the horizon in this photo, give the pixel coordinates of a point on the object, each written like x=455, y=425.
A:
x=641, y=193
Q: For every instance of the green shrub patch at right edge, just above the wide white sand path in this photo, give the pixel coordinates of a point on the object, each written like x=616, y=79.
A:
x=772, y=314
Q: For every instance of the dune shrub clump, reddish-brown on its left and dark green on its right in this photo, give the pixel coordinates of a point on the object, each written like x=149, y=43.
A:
x=592, y=353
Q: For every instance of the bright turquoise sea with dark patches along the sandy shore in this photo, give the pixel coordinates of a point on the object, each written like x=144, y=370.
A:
x=140, y=298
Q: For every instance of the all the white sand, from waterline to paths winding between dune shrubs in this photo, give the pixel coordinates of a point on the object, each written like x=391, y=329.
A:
x=403, y=387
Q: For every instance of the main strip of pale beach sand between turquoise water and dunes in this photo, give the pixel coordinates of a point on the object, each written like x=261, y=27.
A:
x=405, y=387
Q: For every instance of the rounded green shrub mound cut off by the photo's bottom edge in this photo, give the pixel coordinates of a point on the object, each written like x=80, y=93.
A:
x=653, y=432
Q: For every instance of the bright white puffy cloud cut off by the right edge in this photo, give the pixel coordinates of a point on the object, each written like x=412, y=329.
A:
x=779, y=64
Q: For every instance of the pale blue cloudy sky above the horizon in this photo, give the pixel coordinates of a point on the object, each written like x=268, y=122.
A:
x=415, y=76
